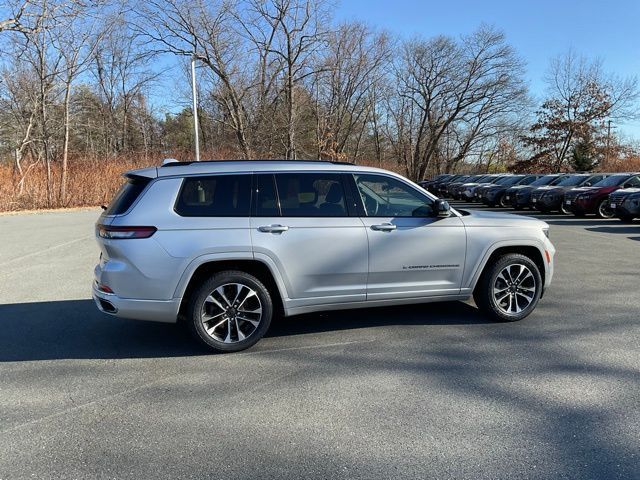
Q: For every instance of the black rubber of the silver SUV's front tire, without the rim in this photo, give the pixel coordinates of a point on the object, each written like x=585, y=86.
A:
x=483, y=293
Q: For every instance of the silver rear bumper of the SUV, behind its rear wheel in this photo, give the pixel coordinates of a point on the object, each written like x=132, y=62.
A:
x=165, y=311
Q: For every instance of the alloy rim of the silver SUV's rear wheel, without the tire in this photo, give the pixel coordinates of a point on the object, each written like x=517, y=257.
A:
x=231, y=313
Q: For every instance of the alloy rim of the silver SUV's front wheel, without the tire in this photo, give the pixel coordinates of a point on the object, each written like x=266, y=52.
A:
x=514, y=289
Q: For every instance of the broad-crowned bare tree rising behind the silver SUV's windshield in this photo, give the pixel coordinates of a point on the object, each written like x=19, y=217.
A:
x=452, y=96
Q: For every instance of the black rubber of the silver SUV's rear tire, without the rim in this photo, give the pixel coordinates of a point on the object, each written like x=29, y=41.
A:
x=196, y=305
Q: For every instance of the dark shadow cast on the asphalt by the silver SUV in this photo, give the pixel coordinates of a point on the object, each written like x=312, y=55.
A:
x=76, y=329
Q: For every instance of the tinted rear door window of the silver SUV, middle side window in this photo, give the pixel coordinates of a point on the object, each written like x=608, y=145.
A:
x=311, y=195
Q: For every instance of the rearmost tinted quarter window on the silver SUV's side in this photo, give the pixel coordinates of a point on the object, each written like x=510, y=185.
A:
x=215, y=196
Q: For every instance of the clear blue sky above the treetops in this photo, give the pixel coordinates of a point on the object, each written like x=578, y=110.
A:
x=538, y=29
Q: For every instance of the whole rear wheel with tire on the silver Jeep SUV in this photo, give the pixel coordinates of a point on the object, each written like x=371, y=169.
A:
x=230, y=312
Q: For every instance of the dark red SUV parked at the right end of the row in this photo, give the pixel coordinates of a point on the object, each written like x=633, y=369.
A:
x=593, y=200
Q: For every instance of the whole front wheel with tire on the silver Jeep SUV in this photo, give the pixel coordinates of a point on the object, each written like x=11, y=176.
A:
x=509, y=289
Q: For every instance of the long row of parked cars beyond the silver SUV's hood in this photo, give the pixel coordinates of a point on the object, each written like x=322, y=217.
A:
x=606, y=195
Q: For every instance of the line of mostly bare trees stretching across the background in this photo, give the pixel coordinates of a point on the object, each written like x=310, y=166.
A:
x=281, y=79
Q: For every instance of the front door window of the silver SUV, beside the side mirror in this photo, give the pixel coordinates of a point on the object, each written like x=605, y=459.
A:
x=384, y=196
